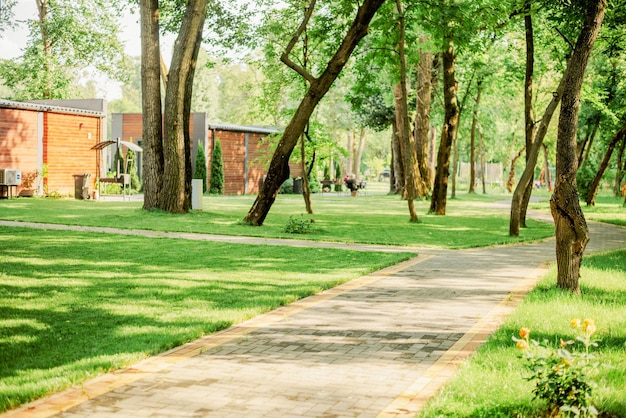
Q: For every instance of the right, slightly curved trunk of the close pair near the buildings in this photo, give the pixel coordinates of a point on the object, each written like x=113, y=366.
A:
x=174, y=196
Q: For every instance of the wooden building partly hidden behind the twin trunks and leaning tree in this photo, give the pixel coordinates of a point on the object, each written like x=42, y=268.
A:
x=245, y=149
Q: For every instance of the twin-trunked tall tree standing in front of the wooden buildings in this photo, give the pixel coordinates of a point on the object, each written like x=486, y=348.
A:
x=170, y=188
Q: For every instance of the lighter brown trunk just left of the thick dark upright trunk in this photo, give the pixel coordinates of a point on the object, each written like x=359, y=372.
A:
x=422, y=114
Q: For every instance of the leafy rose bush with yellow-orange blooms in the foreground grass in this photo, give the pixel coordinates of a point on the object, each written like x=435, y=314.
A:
x=562, y=376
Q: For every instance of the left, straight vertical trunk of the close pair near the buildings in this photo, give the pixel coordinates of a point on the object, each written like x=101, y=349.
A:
x=152, y=131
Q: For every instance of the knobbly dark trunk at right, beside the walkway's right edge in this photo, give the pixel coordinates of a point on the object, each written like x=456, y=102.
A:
x=572, y=233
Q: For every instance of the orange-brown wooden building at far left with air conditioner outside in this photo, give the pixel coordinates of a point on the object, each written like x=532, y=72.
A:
x=54, y=138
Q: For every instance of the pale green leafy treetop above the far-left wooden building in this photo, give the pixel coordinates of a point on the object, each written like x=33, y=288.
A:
x=67, y=38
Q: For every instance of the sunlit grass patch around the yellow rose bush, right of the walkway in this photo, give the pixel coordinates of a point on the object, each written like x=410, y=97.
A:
x=547, y=311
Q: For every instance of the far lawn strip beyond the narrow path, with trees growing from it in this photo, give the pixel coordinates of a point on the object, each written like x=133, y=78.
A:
x=372, y=219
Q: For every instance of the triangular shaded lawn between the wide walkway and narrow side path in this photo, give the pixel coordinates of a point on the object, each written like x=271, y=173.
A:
x=74, y=305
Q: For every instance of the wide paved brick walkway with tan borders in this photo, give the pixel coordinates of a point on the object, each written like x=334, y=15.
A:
x=378, y=346
